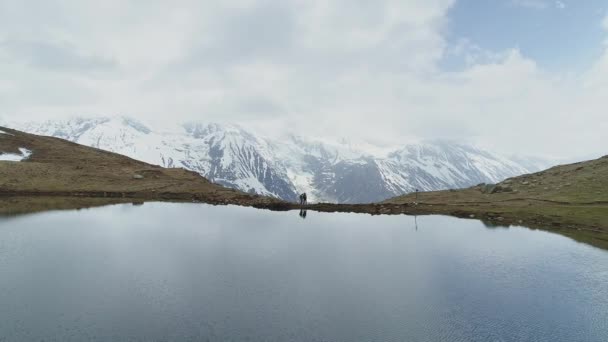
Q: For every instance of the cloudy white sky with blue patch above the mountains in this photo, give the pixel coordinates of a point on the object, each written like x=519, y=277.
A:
x=516, y=76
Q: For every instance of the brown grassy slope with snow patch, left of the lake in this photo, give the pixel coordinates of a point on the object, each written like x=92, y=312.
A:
x=59, y=167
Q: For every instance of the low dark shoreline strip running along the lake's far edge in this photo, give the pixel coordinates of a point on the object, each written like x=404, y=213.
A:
x=527, y=213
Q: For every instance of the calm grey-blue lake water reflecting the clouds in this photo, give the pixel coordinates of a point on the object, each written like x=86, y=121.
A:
x=181, y=272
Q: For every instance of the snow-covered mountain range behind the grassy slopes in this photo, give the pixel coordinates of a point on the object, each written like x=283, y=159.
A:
x=327, y=171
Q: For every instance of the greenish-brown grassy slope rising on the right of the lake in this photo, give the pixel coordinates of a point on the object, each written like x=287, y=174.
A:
x=566, y=196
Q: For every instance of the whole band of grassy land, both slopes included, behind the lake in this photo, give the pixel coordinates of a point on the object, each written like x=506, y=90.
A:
x=568, y=197
